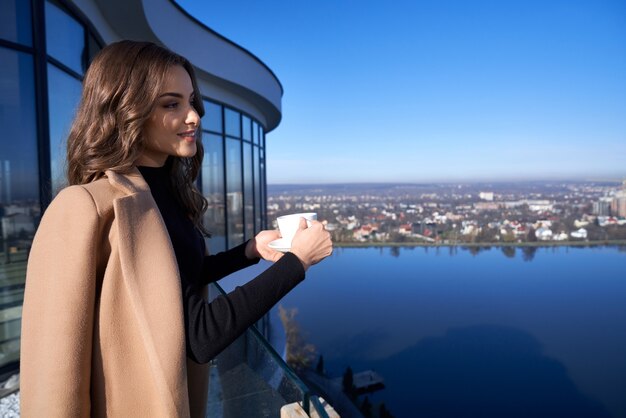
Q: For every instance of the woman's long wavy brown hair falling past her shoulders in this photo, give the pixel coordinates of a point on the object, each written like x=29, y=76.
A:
x=120, y=91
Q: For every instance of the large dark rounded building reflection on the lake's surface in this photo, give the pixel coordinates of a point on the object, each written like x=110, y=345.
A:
x=478, y=371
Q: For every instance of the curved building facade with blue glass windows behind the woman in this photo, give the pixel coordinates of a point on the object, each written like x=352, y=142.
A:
x=45, y=48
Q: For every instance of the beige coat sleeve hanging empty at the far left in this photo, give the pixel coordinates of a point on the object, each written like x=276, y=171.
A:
x=58, y=311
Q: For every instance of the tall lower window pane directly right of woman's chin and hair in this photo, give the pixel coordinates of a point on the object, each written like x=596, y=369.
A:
x=213, y=190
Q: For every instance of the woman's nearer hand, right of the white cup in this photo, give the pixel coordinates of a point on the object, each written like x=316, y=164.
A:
x=311, y=245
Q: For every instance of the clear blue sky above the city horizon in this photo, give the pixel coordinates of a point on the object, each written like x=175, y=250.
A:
x=441, y=90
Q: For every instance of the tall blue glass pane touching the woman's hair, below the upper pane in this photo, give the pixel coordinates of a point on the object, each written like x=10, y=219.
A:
x=63, y=95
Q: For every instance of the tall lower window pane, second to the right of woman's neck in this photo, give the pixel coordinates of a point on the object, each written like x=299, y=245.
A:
x=234, y=192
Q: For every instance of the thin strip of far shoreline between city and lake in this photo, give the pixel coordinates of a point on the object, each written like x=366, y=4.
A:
x=606, y=243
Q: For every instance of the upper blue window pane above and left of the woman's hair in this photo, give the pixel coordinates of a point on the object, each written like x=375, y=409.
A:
x=65, y=38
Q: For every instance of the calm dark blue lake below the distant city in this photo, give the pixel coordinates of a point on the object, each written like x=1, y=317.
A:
x=454, y=332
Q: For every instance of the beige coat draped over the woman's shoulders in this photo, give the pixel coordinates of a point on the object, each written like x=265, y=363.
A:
x=102, y=326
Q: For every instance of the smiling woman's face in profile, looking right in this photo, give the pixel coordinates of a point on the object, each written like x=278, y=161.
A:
x=172, y=125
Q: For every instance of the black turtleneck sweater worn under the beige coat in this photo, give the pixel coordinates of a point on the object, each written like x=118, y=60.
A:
x=211, y=327
